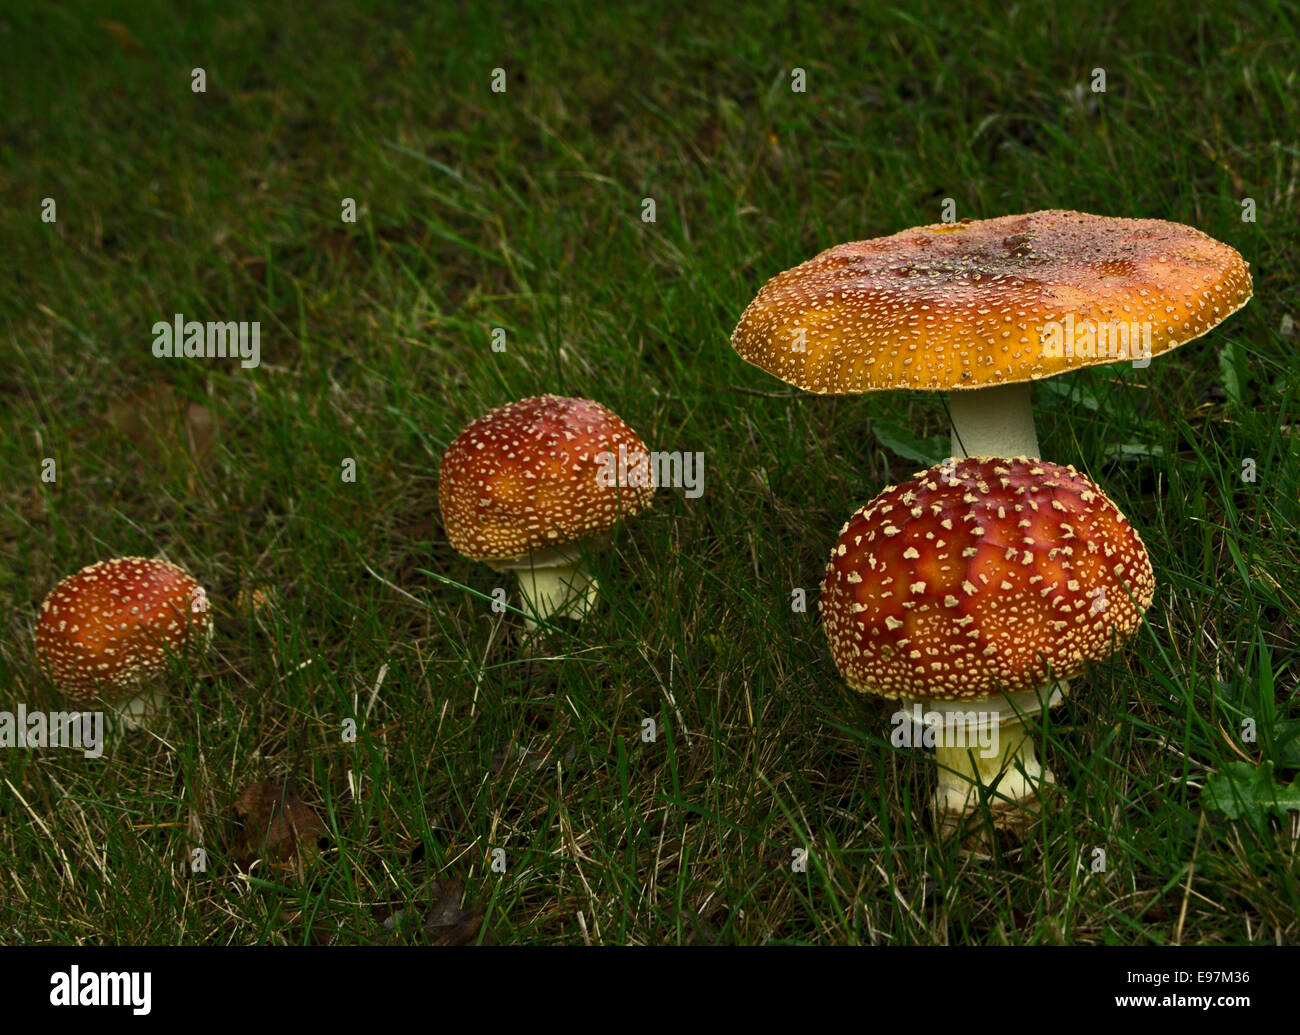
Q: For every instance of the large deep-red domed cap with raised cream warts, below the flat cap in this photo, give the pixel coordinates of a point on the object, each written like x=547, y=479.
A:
x=977, y=575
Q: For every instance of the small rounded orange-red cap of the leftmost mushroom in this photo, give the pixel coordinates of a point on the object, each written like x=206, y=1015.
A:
x=105, y=631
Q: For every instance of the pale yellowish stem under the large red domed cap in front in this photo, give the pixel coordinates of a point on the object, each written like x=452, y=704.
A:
x=987, y=744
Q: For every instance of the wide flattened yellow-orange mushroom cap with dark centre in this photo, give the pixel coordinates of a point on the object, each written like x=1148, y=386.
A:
x=974, y=304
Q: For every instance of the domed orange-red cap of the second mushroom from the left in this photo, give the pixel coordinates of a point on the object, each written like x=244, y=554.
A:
x=538, y=474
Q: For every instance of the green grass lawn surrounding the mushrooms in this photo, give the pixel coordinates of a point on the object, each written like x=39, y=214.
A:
x=523, y=211
